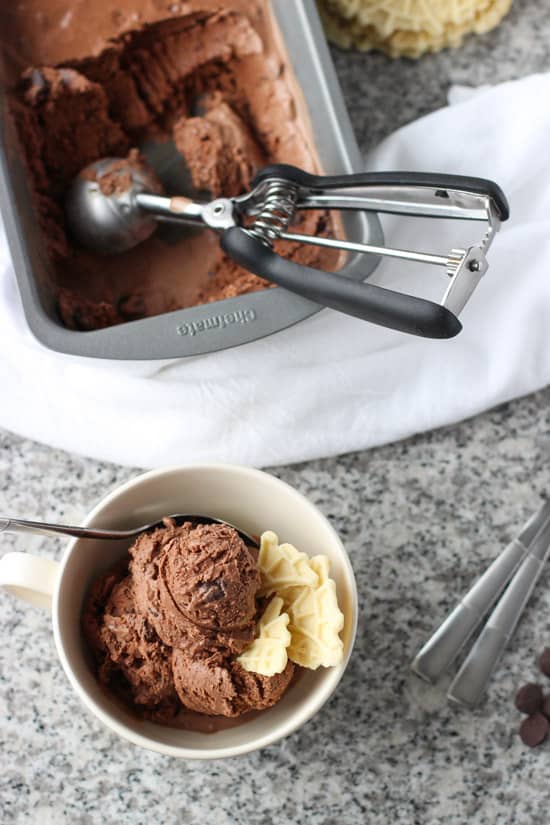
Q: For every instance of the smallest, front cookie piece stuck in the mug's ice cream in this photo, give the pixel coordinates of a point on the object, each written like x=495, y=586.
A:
x=267, y=654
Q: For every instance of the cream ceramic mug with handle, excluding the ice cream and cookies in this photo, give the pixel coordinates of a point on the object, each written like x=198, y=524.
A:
x=250, y=499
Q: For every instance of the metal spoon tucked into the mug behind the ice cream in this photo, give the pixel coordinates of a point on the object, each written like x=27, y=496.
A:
x=13, y=525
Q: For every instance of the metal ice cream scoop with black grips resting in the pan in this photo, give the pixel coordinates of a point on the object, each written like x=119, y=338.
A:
x=115, y=203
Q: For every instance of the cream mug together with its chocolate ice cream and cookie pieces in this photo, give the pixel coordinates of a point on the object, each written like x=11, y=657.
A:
x=191, y=641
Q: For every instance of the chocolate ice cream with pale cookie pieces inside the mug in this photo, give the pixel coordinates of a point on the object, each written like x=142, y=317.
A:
x=199, y=629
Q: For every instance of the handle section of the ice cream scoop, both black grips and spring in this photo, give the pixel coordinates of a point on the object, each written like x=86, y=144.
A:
x=279, y=190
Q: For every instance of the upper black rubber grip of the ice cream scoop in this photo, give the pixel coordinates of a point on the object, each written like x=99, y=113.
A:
x=479, y=186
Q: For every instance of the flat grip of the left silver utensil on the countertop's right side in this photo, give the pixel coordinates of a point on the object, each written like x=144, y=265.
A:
x=443, y=647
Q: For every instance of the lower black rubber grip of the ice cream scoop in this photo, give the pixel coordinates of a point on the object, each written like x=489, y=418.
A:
x=395, y=310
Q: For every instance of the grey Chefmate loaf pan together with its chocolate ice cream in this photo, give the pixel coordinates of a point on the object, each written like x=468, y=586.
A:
x=210, y=92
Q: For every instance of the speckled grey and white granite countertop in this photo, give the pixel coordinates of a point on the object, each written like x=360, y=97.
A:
x=420, y=520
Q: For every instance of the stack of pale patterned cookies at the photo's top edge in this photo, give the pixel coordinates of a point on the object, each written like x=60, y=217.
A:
x=408, y=28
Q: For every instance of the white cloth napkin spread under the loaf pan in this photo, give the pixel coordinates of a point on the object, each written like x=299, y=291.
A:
x=331, y=384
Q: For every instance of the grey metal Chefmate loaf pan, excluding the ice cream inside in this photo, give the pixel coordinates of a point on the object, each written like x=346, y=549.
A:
x=221, y=324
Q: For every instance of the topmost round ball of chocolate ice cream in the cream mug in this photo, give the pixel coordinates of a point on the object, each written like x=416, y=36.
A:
x=197, y=584
